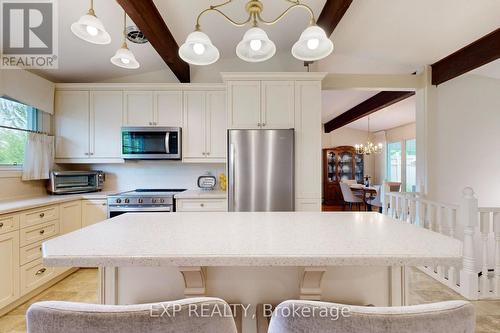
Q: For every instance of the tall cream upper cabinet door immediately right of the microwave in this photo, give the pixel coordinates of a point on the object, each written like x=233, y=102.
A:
x=193, y=135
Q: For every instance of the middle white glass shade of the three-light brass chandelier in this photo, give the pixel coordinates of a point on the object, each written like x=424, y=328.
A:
x=255, y=46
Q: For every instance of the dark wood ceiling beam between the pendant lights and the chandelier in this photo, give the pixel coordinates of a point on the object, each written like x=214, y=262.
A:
x=149, y=20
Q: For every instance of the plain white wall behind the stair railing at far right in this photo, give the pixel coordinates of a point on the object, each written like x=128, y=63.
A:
x=463, y=138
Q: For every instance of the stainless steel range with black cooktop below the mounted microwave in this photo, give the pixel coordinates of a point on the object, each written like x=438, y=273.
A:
x=141, y=201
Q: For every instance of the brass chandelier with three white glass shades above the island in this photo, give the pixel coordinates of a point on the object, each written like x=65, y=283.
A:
x=256, y=46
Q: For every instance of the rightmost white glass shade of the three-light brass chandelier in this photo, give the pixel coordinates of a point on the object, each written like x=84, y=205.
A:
x=312, y=45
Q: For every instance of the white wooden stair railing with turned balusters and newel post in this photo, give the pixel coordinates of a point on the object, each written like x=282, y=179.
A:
x=474, y=222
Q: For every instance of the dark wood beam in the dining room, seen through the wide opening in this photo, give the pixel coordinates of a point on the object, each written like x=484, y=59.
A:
x=371, y=105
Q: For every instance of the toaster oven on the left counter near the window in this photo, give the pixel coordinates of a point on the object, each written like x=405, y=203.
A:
x=69, y=182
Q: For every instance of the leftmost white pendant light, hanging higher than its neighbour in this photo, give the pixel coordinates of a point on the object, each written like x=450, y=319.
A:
x=90, y=28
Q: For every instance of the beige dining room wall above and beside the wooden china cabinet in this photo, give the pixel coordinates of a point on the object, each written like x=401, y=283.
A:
x=346, y=136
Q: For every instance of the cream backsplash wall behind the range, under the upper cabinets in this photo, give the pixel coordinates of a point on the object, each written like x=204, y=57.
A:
x=152, y=174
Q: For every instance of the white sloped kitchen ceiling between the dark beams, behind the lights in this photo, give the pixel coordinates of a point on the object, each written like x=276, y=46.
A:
x=375, y=36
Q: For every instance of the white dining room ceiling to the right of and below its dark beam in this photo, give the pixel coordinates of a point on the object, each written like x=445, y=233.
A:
x=398, y=114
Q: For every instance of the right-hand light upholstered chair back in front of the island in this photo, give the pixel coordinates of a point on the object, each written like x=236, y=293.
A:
x=321, y=317
